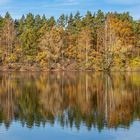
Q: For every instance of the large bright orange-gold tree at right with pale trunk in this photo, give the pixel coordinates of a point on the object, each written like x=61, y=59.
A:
x=116, y=33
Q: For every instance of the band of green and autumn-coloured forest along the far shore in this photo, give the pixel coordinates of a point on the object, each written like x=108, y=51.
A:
x=96, y=41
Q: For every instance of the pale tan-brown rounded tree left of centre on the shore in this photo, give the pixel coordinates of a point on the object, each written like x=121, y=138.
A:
x=51, y=46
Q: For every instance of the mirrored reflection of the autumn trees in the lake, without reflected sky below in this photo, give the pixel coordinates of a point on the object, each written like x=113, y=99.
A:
x=70, y=99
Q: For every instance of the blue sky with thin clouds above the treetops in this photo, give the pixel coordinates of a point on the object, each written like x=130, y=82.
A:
x=56, y=7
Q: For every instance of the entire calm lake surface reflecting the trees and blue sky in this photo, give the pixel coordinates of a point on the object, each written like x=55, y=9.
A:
x=69, y=106
